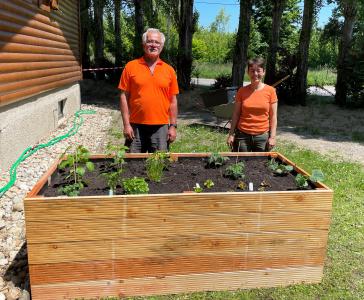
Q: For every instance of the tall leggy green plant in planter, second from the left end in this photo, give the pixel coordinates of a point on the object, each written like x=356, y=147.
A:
x=113, y=178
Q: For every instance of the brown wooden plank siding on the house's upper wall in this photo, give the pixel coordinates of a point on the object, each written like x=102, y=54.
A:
x=39, y=50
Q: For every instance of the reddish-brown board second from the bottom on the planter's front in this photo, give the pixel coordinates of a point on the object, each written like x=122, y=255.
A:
x=168, y=266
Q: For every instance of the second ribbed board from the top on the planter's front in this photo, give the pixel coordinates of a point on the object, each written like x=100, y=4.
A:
x=88, y=230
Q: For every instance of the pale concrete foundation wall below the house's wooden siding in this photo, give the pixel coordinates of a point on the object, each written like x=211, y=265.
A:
x=24, y=123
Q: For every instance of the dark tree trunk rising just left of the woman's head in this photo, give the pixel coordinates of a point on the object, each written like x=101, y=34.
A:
x=241, y=44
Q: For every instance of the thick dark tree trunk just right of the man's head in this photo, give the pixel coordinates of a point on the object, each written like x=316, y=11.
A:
x=184, y=63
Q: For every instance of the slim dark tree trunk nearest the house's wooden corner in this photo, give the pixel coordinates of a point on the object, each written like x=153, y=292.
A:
x=85, y=24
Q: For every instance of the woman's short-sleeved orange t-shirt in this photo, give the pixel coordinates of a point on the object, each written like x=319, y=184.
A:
x=255, y=107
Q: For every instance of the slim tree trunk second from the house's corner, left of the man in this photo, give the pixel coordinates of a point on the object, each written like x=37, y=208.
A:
x=99, y=36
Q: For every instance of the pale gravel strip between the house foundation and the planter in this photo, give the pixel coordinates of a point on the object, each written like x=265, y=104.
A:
x=14, y=277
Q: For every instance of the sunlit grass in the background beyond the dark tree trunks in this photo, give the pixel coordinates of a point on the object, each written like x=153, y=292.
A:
x=319, y=77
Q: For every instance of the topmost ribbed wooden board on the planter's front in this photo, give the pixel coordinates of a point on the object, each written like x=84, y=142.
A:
x=134, y=206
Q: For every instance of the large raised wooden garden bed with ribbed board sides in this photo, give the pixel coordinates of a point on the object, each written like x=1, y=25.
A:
x=96, y=246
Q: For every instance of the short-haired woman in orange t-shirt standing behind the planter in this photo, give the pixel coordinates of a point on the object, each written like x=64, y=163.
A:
x=254, y=120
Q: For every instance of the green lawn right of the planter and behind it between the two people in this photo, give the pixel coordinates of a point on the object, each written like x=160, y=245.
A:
x=344, y=266
